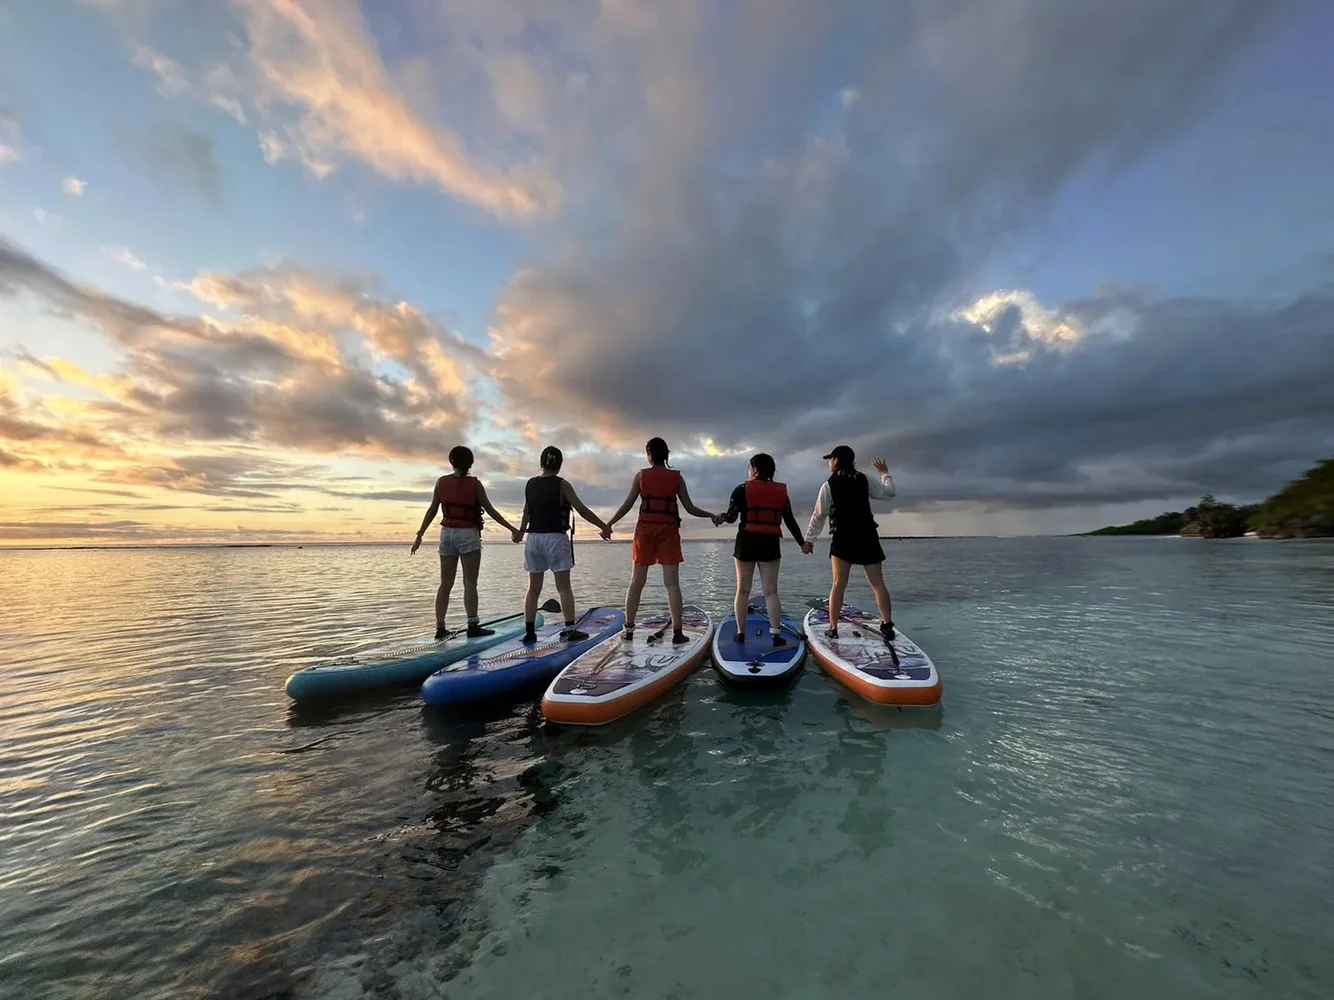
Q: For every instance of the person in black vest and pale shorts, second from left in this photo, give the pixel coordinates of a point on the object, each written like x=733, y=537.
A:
x=548, y=501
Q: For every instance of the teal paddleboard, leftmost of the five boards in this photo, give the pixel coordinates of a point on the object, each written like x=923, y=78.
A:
x=409, y=662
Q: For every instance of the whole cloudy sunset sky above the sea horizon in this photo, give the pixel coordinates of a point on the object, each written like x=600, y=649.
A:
x=1064, y=263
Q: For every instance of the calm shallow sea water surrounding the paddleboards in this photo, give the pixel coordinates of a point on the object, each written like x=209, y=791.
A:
x=1129, y=790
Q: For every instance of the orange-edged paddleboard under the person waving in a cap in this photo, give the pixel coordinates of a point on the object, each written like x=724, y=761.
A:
x=861, y=659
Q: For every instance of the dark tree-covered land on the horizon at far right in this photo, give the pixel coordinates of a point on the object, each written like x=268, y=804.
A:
x=1303, y=510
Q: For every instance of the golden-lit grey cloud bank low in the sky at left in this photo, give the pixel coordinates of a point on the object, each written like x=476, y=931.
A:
x=289, y=359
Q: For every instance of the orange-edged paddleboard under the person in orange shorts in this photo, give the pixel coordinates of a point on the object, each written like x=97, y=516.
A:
x=620, y=677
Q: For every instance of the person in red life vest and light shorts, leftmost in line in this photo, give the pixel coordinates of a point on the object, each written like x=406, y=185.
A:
x=462, y=499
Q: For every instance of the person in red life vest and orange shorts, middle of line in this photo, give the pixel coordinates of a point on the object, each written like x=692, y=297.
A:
x=657, y=533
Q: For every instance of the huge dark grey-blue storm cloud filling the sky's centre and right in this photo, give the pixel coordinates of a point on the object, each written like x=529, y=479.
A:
x=786, y=289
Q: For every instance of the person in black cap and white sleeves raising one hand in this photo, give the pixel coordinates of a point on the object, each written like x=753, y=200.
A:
x=845, y=499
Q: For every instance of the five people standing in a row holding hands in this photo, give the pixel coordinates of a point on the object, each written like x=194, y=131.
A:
x=761, y=505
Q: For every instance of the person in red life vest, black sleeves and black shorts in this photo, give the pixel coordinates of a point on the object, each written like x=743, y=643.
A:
x=764, y=509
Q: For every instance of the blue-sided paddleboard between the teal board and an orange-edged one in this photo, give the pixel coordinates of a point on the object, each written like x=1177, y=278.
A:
x=513, y=666
